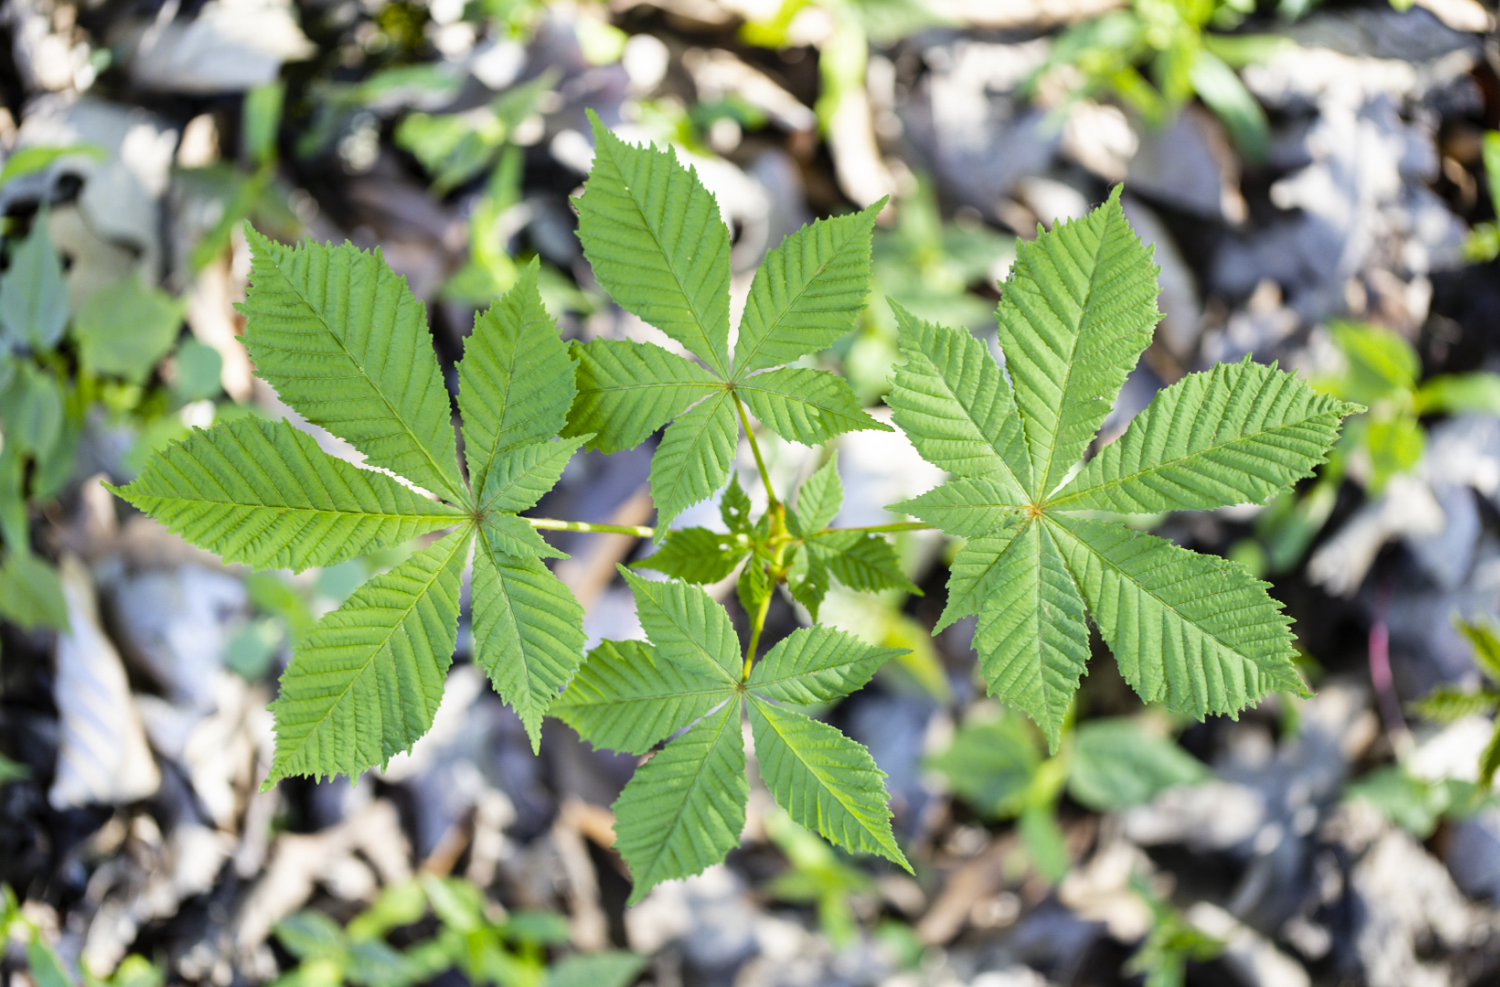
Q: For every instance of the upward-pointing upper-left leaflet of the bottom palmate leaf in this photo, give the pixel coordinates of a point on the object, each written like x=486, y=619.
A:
x=686, y=626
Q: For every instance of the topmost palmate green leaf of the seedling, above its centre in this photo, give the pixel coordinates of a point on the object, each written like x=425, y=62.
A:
x=659, y=247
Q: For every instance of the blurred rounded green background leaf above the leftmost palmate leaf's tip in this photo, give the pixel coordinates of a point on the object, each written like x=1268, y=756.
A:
x=127, y=328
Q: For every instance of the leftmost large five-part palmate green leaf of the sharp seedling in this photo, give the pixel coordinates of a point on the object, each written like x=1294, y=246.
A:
x=368, y=677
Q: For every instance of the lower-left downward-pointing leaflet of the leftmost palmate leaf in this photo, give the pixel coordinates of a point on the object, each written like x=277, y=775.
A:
x=367, y=680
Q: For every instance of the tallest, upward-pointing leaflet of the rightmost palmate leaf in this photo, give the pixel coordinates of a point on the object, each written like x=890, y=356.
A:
x=1076, y=313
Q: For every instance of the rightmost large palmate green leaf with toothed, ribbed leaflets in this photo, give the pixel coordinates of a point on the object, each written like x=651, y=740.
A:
x=1193, y=632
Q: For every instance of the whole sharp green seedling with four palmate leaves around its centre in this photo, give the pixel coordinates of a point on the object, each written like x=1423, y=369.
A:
x=344, y=343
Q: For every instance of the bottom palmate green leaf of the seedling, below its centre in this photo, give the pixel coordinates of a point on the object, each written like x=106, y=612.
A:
x=685, y=809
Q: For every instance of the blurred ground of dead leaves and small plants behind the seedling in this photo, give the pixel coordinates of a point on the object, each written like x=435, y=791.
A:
x=1322, y=187
